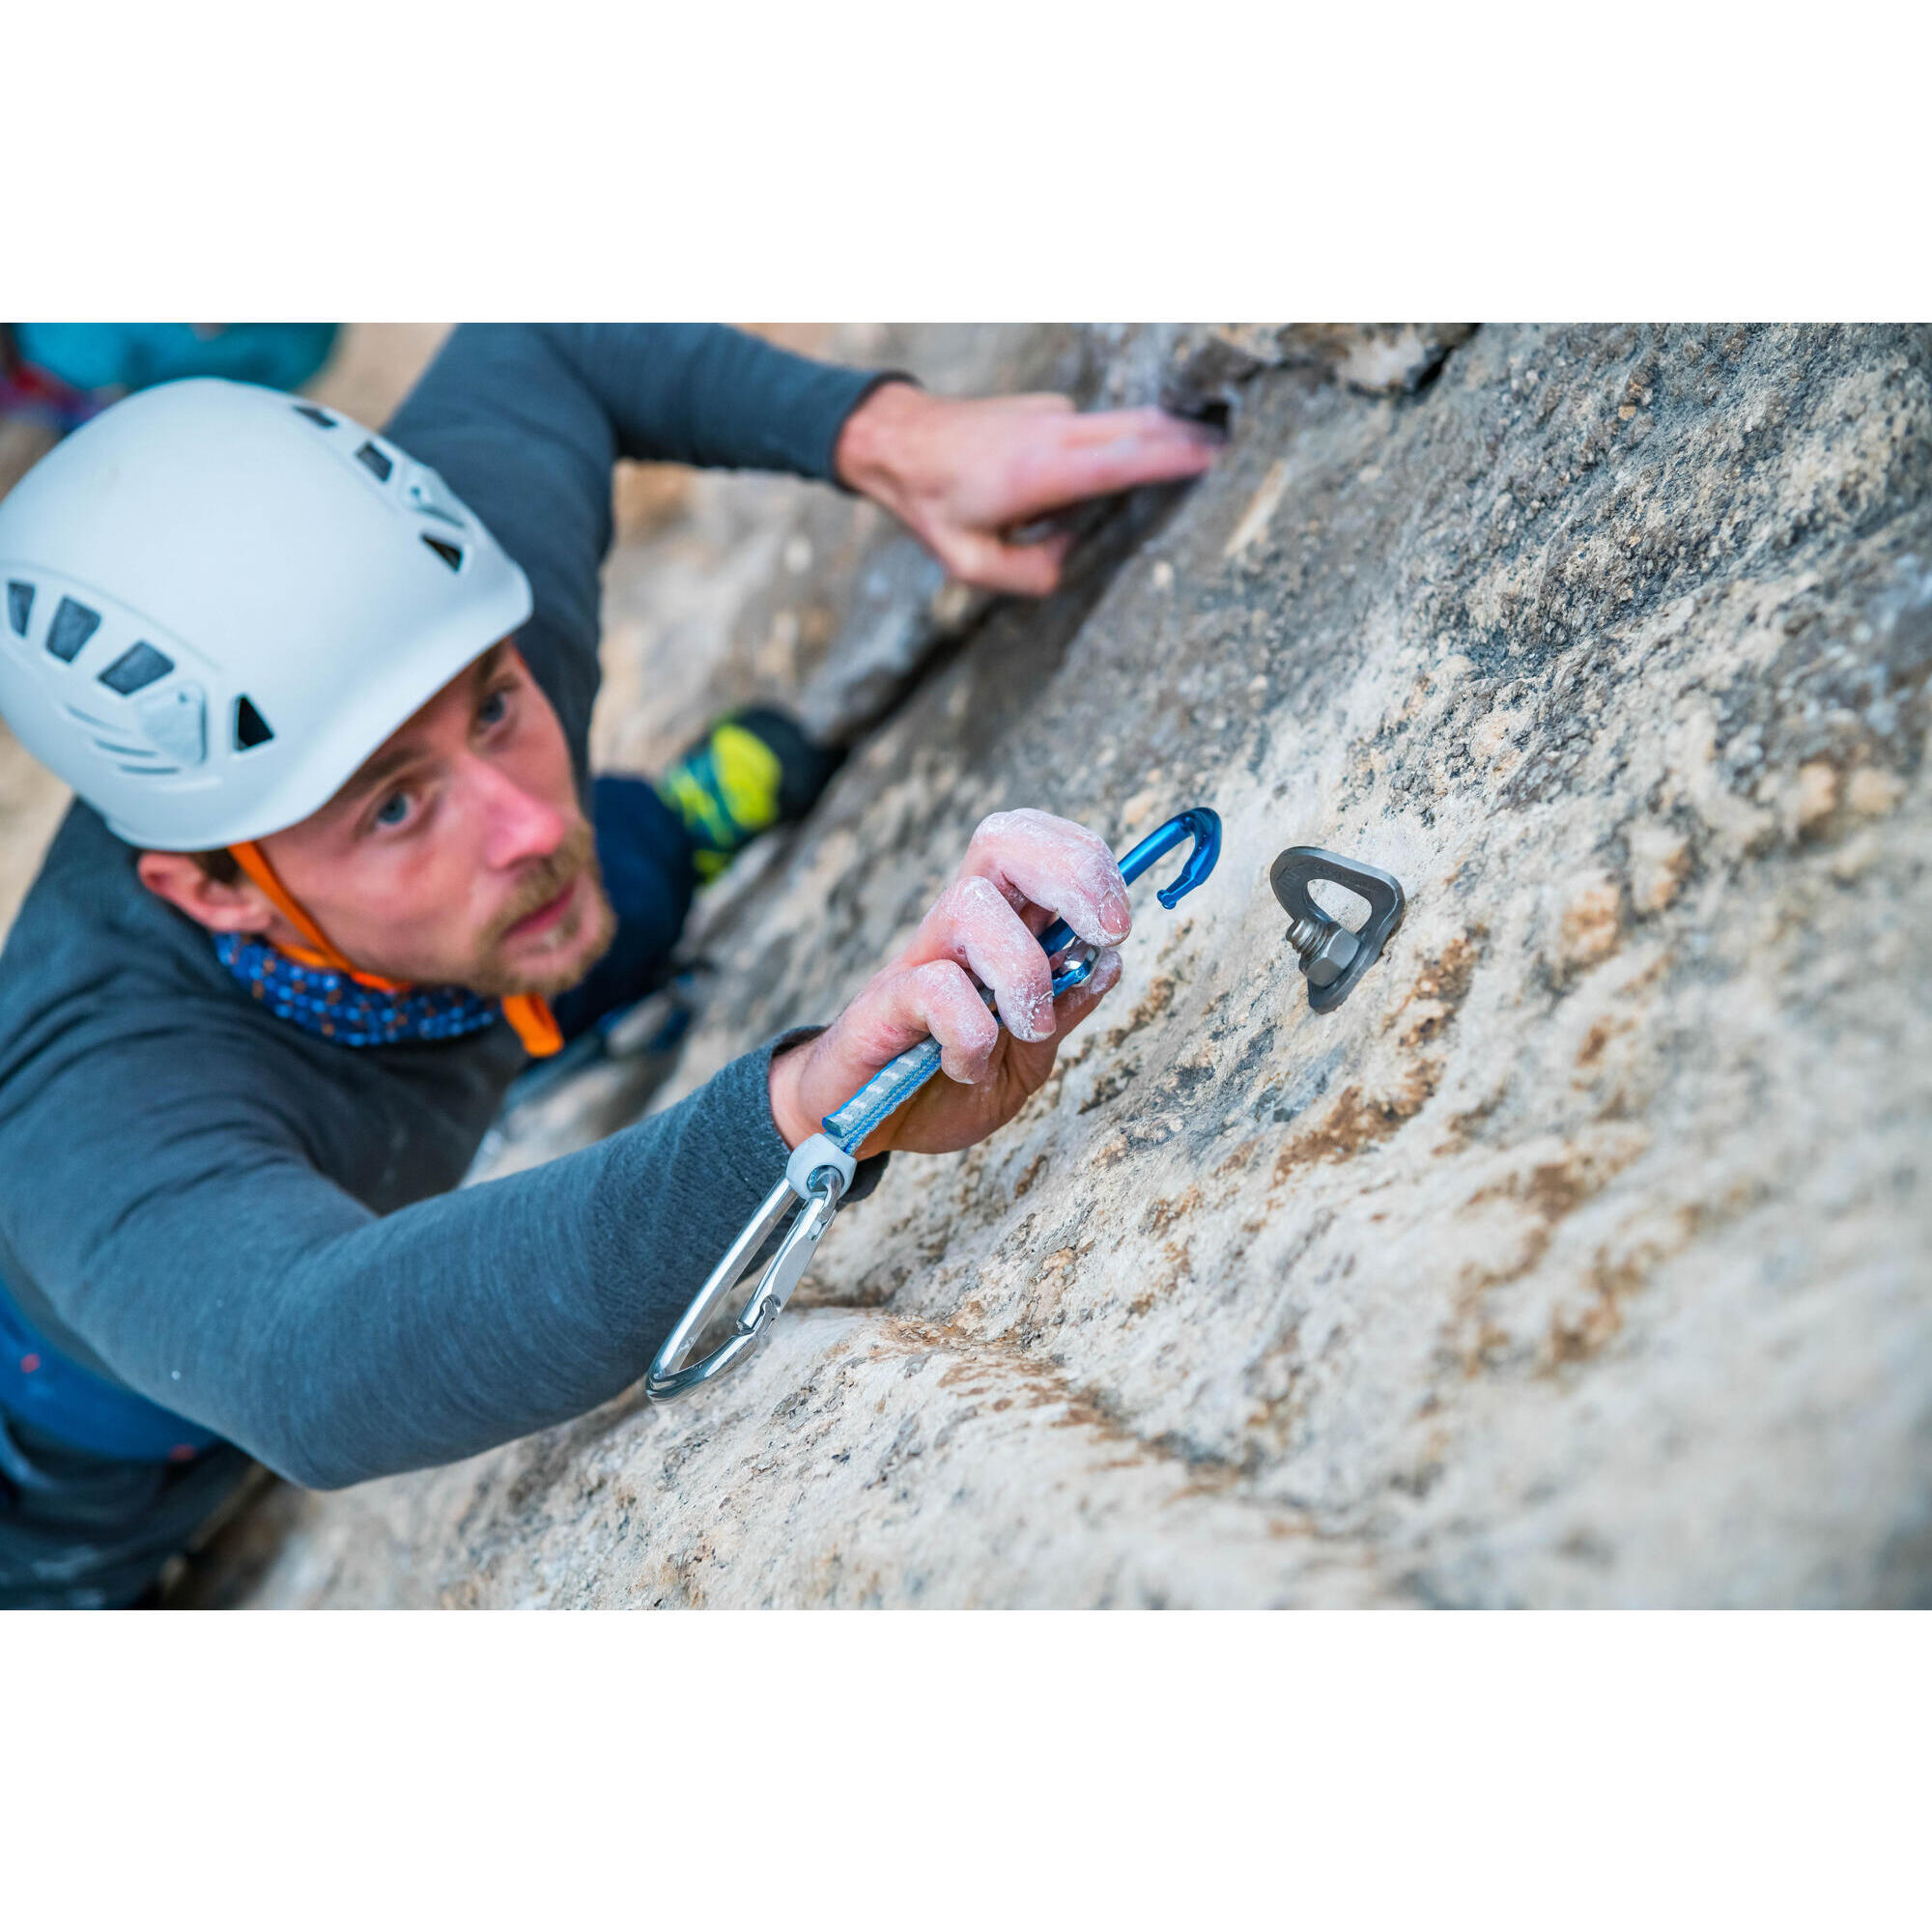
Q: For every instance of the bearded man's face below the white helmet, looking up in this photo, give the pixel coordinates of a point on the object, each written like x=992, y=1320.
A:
x=459, y=855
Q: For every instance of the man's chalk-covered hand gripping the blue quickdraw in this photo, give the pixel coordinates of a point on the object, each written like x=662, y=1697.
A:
x=1023, y=870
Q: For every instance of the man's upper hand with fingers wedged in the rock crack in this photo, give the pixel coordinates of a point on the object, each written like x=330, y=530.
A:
x=965, y=474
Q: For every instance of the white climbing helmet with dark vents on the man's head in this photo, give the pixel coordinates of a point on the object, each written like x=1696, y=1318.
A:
x=221, y=600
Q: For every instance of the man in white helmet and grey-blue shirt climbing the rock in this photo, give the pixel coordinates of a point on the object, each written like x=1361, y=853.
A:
x=331, y=880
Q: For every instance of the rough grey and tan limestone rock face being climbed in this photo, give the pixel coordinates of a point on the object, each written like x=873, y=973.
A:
x=1577, y=1261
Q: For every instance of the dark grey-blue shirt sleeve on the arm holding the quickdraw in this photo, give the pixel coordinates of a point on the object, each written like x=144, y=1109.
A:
x=219, y=1274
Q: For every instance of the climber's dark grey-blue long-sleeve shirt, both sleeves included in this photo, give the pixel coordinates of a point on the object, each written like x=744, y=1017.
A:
x=256, y=1228
